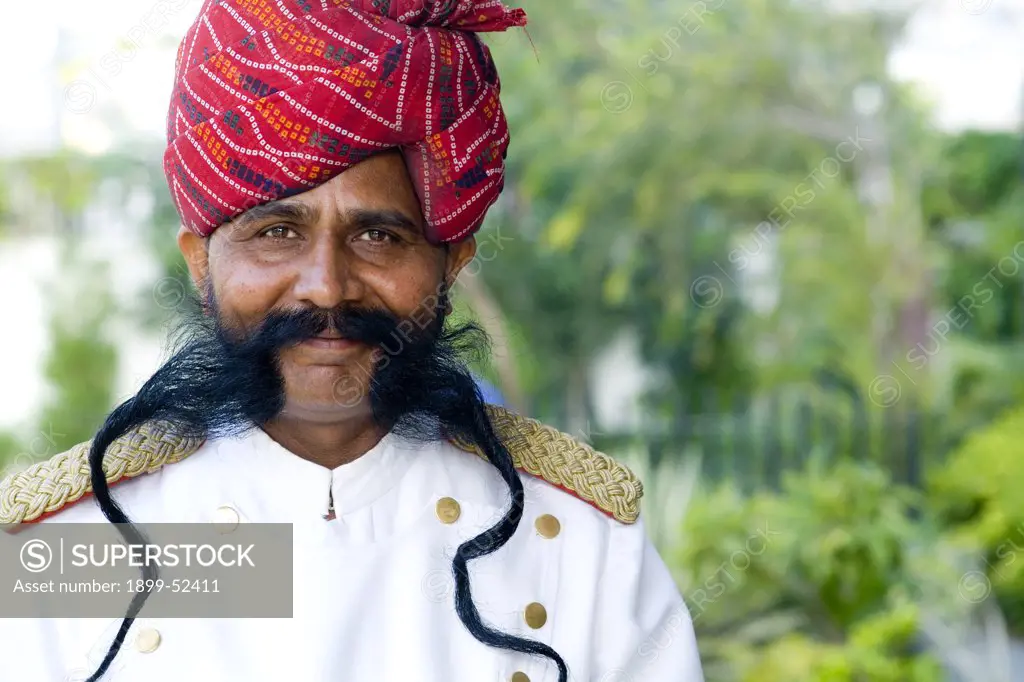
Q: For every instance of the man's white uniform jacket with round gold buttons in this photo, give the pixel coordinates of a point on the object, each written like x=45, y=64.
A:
x=373, y=590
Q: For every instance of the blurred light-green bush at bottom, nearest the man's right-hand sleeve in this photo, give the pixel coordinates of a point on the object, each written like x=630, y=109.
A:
x=822, y=583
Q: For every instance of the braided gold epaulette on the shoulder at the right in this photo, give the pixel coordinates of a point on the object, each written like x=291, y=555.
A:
x=560, y=459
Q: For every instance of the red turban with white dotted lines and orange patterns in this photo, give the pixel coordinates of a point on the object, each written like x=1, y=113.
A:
x=274, y=98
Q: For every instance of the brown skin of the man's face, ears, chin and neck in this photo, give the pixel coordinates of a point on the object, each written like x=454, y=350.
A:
x=357, y=240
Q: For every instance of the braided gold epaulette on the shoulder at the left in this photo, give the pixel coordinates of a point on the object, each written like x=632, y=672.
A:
x=48, y=487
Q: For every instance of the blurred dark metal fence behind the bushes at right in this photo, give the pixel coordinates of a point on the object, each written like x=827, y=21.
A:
x=755, y=442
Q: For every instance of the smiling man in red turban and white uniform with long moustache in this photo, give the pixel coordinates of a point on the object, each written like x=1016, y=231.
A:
x=332, y=161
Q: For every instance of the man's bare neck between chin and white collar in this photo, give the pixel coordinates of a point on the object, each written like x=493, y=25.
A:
x=327, y=444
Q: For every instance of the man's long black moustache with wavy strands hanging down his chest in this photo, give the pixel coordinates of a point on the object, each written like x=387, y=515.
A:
x=221, y=382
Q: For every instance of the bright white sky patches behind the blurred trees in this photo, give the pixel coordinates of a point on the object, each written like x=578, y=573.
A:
x=966, y=55
